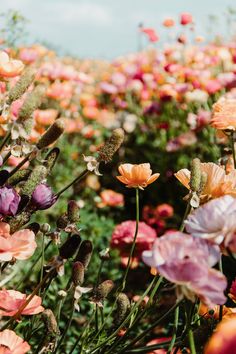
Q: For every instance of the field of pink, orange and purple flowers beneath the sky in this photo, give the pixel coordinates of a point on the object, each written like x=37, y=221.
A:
x=118, y=200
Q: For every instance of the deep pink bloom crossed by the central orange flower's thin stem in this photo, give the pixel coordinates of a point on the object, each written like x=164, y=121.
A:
x=123, y=236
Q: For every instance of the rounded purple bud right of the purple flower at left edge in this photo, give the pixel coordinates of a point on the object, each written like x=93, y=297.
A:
x=43, y=197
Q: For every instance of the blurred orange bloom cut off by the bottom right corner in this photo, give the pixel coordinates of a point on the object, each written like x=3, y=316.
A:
x=223, y=340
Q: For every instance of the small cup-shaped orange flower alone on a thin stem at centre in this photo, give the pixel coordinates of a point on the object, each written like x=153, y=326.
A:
x=136, y=176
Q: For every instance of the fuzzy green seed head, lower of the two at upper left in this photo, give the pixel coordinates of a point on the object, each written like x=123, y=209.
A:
x=32, y=102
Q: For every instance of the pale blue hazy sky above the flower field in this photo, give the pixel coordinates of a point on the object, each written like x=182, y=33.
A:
x=108, y=28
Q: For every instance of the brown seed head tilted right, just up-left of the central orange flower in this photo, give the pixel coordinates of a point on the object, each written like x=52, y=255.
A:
x=107, y=151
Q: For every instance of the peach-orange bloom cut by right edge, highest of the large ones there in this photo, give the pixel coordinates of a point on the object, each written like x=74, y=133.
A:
x=224, y=114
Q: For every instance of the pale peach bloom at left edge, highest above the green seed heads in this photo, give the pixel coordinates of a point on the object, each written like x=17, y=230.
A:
x=9, y=67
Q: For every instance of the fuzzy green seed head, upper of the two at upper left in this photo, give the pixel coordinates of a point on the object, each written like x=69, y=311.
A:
x=22, y=85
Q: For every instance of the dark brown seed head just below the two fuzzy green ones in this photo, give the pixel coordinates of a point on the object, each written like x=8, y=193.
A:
x=52, y=134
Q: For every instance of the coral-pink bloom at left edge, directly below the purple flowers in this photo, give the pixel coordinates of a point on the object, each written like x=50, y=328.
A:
x=20, y=245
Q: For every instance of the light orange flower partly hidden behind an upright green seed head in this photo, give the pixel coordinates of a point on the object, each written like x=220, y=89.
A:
x=218, y=182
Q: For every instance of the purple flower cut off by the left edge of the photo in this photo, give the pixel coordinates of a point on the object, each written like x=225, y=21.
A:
x=9, y=201
